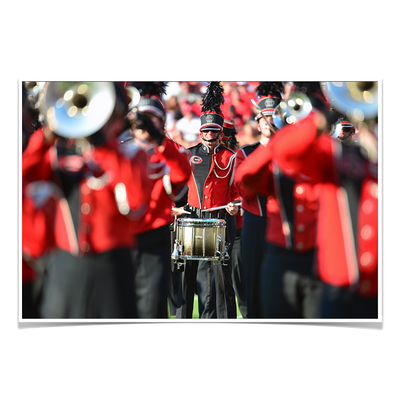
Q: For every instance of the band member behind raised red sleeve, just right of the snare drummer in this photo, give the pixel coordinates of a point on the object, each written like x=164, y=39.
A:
x=254, y=203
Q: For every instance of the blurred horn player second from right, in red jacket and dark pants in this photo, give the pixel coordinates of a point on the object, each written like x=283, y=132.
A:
x=289, y=288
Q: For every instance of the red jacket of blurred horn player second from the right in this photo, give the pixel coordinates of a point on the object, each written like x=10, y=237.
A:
x=291, y=200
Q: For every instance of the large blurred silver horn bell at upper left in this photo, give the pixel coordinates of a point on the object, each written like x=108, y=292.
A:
x=78, y=109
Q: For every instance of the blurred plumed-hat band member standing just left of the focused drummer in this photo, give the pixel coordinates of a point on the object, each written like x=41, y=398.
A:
x=169, y=170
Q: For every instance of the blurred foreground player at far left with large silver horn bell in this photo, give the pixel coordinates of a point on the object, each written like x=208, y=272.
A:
x=91, y=272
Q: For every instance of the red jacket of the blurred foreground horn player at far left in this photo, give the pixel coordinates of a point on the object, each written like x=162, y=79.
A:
x=113, y=189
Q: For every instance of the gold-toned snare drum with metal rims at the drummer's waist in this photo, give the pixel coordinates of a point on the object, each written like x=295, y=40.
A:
x=201, y=239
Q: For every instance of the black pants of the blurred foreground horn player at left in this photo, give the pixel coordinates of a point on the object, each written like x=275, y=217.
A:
x=92, y=286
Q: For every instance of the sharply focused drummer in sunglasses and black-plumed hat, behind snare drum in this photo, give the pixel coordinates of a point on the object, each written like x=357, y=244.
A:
x=210, y=186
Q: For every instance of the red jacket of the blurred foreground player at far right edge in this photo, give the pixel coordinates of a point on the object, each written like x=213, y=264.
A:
x=347, y=186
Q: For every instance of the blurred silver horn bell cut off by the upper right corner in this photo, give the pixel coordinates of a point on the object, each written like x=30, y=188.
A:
x=356, y=100
